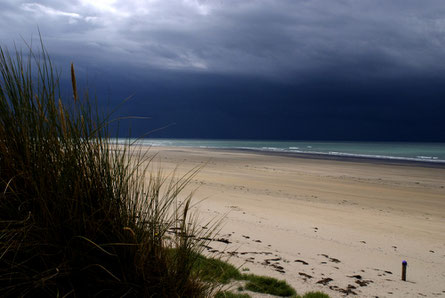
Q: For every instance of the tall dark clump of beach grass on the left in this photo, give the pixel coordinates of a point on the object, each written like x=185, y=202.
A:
x=81, y=216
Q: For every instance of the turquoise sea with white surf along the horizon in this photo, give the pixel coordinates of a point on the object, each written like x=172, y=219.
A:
x=427, y=152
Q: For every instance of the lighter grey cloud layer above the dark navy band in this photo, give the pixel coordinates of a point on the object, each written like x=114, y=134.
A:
x=269, y=38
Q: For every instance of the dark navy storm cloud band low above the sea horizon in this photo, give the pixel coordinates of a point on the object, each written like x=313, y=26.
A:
x=221, y=107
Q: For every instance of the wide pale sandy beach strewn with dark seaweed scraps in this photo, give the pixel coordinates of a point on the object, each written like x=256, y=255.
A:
x=338, y=226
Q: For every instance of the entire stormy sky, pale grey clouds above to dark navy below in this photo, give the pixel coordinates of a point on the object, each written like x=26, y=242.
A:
x=297, y=69
